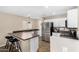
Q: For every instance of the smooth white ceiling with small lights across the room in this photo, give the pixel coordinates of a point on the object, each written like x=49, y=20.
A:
x=36, y=11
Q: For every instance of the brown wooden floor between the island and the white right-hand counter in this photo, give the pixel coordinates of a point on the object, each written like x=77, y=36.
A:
x=44, y=46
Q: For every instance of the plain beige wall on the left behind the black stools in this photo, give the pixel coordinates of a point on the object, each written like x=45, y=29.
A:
x=8, y=23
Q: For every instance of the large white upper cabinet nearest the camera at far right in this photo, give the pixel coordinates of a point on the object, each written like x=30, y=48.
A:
x=72, y=18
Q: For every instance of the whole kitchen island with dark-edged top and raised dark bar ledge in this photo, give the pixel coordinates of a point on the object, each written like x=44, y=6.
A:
x=28, y=39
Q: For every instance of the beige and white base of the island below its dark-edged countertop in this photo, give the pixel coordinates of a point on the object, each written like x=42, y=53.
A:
x=30, y=45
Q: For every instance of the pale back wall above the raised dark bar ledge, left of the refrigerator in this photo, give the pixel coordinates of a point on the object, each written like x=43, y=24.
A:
x=34, y=24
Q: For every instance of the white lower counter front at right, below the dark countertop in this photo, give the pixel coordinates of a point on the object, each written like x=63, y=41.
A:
x=62, y=44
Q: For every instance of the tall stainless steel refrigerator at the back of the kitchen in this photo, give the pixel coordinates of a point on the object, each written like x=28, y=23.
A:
x=46, y=31
